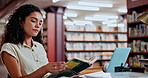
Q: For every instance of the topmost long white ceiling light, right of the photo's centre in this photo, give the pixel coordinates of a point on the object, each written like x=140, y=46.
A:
x=95, y=4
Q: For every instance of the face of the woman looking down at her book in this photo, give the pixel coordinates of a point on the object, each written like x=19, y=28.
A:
x=33, y=24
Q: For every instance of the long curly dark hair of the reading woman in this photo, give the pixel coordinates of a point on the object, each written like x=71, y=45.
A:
x=14, y=33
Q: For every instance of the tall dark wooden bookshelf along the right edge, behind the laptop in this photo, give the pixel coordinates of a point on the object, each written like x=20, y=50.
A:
x=137, y=34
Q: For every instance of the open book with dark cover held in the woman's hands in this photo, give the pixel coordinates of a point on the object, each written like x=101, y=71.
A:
x=75, y=66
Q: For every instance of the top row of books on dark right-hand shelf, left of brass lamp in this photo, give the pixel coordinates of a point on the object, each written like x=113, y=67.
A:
x=133, y=17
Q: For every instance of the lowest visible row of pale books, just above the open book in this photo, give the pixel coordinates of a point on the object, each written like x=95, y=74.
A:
x=87, y=55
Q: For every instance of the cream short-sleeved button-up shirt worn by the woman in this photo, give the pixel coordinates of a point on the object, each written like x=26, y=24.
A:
x=29, y=58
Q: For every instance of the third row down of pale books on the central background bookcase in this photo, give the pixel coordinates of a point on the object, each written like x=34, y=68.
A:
x=93, y=46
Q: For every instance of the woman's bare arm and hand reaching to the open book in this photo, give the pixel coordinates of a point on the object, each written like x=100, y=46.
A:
x=14, y=70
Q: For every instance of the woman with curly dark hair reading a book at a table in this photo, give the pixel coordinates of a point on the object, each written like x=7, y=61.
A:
x=21, y=52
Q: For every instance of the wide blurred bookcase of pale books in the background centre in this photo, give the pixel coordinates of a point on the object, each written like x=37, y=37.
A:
x=94, y=41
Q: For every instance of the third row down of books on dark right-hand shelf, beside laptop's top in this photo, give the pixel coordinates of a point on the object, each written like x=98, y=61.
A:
x=139, y=46
